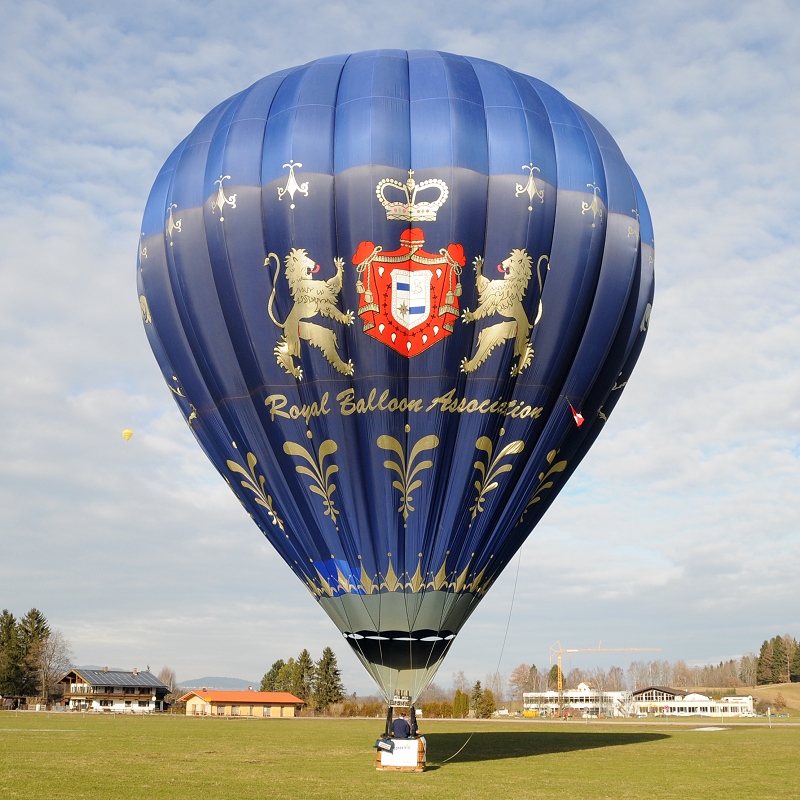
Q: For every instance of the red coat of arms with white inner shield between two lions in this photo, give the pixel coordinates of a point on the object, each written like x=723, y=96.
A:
x=408, y=297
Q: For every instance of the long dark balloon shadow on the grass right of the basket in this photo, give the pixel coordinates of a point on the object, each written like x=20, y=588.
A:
x=490, y=746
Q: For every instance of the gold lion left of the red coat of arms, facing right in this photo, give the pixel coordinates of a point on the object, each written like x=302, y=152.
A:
x=311, y=297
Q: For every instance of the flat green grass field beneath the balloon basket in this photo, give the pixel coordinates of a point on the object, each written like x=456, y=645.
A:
x=71, y=756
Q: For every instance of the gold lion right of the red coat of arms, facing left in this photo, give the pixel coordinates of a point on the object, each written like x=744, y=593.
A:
x=504, y=296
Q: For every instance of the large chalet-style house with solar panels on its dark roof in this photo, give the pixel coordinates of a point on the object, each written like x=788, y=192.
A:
x=113, y=690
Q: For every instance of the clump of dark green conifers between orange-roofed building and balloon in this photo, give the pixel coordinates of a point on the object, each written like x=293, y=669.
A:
x=318, y=684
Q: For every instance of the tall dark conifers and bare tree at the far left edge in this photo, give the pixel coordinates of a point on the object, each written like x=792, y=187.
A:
x=33, y=656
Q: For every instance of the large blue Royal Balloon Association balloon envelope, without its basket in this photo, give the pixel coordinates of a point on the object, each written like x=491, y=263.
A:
x=396, y=295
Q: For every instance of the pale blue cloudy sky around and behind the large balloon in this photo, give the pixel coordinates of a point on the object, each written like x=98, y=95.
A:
x=680, y=530
